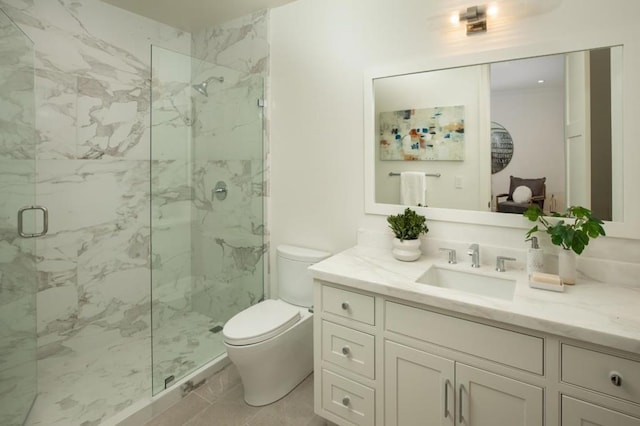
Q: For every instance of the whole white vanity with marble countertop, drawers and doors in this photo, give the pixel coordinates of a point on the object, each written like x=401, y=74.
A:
x=390, y=352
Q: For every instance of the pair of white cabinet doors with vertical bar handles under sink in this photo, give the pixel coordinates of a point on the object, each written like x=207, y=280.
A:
x=424, y=389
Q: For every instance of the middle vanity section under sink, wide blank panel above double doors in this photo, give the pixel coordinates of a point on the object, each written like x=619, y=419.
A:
x=424, y=388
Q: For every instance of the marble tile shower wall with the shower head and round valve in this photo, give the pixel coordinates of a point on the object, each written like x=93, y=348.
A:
x=229, y=267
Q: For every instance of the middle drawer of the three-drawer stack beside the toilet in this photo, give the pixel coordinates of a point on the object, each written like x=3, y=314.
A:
x=348, y=348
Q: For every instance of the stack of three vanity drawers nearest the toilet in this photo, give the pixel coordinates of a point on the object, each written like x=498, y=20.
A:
x=345, y=371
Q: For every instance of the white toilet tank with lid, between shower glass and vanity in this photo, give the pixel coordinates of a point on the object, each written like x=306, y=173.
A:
x=295, y=284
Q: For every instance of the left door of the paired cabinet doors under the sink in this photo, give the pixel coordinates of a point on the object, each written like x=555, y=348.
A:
x=418, y=388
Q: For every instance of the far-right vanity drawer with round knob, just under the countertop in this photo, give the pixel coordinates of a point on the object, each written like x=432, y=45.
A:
x=593, y=370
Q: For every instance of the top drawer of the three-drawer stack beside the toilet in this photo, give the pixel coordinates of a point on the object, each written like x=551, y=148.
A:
x=348, y=304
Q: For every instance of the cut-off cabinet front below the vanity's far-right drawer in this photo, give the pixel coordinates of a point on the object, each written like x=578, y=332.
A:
x=580, y=413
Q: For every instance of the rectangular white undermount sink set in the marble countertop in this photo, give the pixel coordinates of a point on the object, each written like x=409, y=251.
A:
x=470, y=282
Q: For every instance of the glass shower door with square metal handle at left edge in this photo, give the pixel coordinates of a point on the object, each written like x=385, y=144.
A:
x=17, y=254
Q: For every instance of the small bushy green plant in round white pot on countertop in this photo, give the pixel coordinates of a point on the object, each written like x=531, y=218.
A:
x=407, y=228
